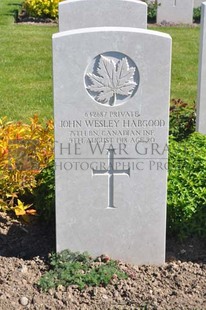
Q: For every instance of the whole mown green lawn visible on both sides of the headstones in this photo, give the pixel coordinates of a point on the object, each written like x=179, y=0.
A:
x=26, y=65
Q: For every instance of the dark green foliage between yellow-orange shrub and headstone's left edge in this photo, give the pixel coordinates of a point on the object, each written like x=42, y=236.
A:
x=44, y=193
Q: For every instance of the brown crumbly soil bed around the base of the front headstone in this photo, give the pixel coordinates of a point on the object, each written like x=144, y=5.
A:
x=178, y=284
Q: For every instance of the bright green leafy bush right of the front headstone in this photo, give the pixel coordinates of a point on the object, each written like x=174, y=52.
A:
x=187, y=187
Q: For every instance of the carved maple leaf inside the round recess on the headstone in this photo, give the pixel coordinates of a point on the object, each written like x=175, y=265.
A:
x=113, y=79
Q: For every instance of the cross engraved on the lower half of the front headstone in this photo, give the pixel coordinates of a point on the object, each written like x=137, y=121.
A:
x=110, y=173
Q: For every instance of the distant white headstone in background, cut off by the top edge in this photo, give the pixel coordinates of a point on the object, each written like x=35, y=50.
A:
x=175, y=11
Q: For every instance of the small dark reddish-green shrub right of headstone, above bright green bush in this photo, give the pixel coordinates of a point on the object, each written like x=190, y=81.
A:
x=182, y=119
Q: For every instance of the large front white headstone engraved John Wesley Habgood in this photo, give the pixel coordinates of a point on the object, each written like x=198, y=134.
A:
x=111, y=98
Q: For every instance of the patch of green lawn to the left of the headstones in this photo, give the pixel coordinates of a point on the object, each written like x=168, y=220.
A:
x=25, y=68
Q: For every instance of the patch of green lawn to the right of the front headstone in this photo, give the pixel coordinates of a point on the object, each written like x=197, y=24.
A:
x=185, y=51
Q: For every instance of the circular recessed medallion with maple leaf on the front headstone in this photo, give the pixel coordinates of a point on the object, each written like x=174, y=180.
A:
x=113, y=80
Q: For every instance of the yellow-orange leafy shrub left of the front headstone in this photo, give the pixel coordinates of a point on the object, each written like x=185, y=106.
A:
x=25, y=149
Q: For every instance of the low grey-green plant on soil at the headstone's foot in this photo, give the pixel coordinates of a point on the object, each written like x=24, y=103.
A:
x=69, y=268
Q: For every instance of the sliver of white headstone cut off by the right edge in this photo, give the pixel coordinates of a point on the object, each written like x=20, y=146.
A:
x=201, y=99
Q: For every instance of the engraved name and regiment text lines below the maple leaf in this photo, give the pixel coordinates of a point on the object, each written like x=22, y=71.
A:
x=111, y=127
